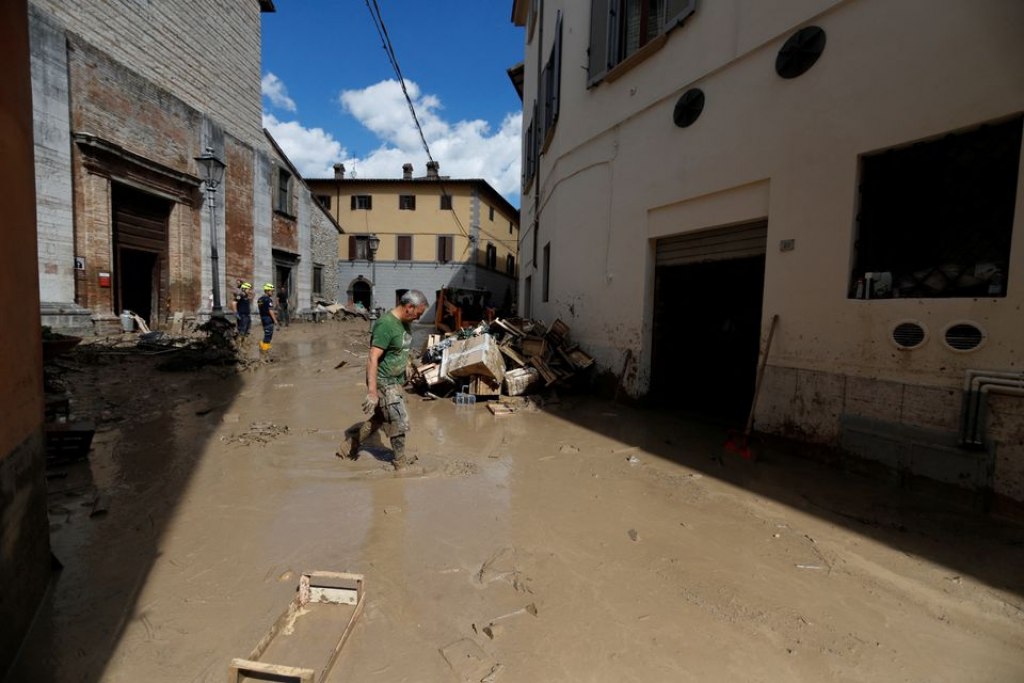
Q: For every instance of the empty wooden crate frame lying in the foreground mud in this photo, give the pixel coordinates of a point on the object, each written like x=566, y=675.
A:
x=303, y=647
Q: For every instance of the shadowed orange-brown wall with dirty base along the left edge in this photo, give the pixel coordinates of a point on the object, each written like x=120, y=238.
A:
x=24, y=528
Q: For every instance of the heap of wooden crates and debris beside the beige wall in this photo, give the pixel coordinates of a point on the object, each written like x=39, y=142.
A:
x=506, y=358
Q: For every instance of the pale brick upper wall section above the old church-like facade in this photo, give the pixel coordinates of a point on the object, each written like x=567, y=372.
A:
x=207, y=54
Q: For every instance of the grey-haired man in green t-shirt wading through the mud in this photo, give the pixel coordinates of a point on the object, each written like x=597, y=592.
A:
x=386, y=401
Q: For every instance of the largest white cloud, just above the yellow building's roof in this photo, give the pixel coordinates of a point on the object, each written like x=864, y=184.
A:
x=464, y=149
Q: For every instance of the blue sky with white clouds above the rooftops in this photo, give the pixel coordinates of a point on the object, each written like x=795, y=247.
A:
x=331, y=96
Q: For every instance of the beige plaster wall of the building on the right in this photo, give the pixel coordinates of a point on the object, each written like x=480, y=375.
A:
x=620, y=175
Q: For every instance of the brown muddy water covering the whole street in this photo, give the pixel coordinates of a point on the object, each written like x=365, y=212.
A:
x=639, y=558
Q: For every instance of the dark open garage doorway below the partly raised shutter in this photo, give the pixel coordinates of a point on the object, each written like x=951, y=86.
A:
x=707, y=336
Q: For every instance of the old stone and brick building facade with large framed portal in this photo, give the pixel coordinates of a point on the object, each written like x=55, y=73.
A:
x=126, y=97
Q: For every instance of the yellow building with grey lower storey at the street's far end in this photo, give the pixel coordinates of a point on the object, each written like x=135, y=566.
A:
x=423, y=233
